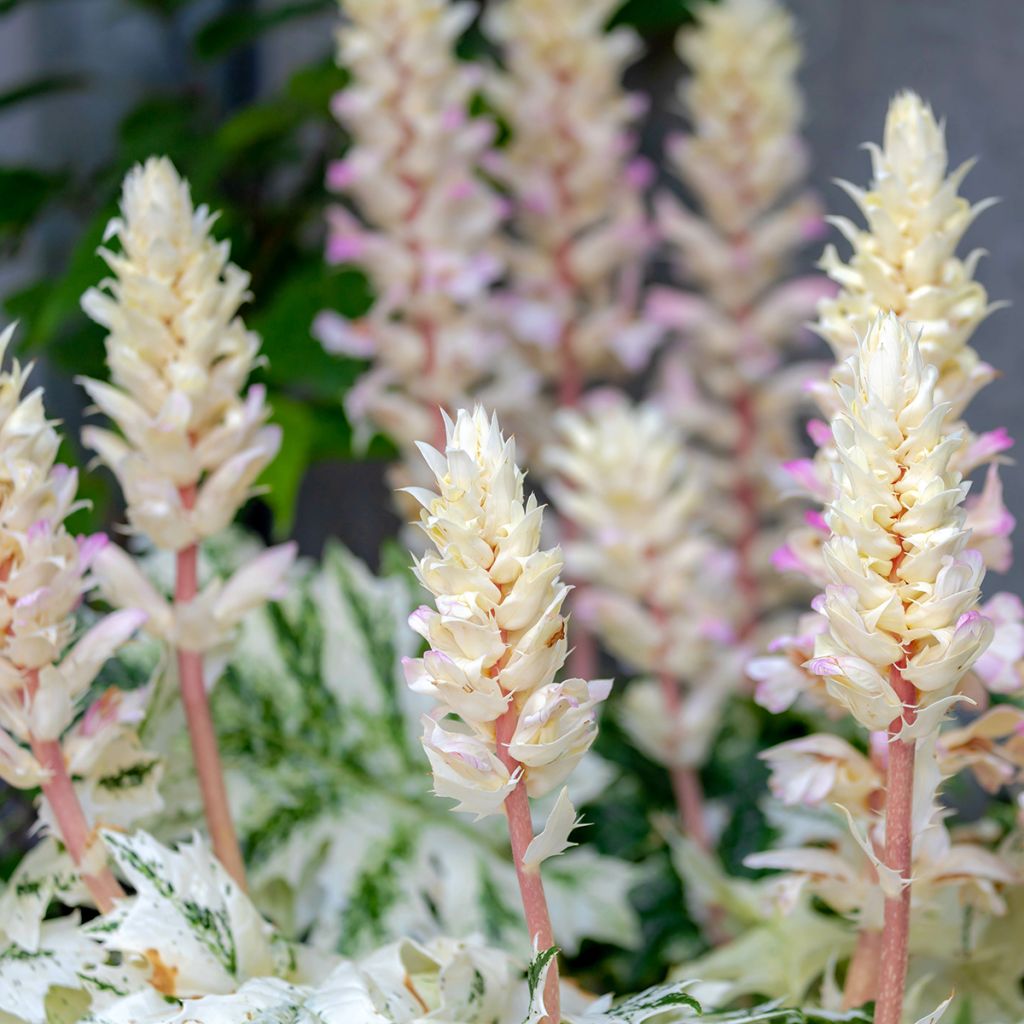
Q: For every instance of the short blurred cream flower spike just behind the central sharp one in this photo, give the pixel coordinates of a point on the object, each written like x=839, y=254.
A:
x=658, y=590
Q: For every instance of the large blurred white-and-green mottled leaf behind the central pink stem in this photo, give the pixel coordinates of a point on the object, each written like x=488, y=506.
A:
x=331, y=790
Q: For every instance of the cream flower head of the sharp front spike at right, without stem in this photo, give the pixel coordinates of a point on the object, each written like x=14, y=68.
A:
x=904, y=589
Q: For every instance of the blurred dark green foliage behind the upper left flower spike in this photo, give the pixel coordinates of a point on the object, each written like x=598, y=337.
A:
x=258, y=154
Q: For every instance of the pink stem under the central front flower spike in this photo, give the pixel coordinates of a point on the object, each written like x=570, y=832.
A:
x=535, y=904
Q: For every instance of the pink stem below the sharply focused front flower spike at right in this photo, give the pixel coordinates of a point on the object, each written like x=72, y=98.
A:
x=899, y=852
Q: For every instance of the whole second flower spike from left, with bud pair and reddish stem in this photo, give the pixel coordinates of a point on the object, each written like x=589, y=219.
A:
x=190, y=443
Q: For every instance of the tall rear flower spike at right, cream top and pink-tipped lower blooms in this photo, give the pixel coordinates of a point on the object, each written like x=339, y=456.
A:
x=905, y=263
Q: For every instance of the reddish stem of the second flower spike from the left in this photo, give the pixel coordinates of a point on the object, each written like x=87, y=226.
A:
x=201, y=731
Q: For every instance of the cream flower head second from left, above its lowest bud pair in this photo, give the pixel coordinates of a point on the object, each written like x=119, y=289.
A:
x=190, y=444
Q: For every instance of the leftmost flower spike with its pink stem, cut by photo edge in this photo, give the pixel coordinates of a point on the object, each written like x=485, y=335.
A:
x=45, y=574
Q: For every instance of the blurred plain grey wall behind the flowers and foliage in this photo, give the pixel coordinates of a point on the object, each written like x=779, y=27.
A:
x=966, y=60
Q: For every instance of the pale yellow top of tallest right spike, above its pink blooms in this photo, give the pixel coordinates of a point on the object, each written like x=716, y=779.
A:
x=906, y=261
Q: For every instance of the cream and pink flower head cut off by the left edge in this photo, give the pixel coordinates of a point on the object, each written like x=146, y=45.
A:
x=44, y=575
